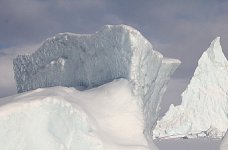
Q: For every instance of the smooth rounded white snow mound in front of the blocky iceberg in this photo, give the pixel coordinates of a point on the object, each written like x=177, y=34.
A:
x=60, y=118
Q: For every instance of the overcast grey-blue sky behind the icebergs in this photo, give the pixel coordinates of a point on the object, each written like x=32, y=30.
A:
x=180, y=29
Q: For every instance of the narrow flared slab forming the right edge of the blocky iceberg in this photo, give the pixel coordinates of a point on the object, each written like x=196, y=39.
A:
x=152, y=99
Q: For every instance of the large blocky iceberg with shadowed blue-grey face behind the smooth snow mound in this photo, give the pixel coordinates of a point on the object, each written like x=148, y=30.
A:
x=87, y=61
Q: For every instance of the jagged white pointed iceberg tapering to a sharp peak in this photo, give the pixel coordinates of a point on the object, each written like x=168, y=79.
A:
x=204, y=107
